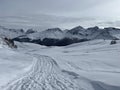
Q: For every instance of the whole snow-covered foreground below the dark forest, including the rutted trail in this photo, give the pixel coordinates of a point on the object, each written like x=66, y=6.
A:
x=74, y=67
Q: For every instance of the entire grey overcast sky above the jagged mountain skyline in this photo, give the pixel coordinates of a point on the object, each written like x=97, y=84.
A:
x=43, y=14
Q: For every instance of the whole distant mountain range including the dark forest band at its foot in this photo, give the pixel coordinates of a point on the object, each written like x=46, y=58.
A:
x=58, y=37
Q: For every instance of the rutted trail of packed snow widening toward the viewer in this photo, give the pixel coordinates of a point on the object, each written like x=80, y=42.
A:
x=45, y=74
